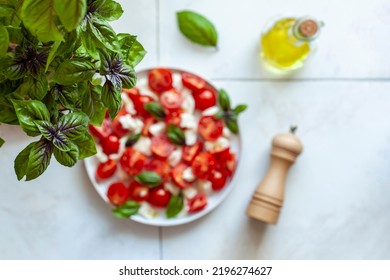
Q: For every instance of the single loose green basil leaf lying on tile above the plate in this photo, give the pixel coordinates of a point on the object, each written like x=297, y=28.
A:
x=197, y=28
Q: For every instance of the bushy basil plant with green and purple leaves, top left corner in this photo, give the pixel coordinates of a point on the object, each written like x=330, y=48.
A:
x=61, y=67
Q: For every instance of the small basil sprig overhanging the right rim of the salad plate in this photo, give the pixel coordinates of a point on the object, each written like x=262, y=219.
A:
x=227, y=114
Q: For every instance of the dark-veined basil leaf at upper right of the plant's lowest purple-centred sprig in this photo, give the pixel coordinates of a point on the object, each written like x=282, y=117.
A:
x=73, y=125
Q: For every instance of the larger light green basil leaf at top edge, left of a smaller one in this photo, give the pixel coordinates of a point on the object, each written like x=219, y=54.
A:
x=39, y=18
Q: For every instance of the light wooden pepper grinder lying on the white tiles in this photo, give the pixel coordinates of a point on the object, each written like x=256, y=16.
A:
x=268, y=197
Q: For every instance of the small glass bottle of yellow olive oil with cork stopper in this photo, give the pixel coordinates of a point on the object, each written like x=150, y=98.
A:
x=287, y=43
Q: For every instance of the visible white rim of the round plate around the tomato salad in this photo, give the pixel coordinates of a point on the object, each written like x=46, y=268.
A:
x=214, y=198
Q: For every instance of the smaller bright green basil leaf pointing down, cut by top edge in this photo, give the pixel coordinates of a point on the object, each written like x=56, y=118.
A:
x=70, y=12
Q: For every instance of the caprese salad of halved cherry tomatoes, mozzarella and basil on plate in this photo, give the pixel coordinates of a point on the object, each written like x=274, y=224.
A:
x=169, y=146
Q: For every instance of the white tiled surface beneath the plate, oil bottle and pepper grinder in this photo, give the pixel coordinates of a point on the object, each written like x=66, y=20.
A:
x=338, y=194
